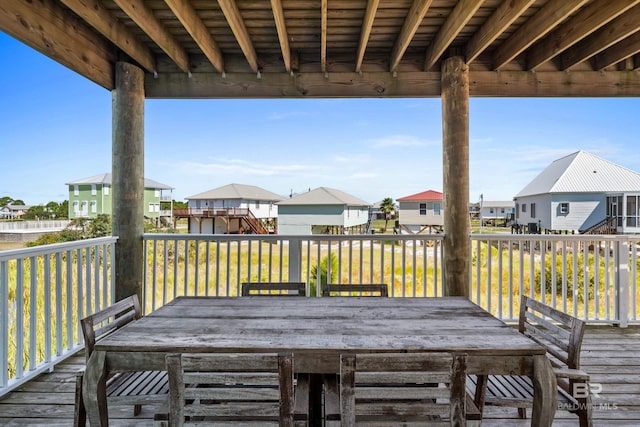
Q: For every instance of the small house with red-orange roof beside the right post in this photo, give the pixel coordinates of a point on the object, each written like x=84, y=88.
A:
x=421, y=212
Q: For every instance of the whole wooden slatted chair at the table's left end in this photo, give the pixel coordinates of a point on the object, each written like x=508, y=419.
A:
x=135, y=388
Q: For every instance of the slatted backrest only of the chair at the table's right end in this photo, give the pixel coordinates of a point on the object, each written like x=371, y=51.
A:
x=560, y=333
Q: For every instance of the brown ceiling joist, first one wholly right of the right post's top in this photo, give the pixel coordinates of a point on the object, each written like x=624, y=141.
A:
x=536, y=27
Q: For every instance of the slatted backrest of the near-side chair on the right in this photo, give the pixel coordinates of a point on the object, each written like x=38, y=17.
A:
x=403, y=387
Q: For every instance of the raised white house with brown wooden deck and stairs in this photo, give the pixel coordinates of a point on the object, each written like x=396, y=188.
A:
x=232, y=208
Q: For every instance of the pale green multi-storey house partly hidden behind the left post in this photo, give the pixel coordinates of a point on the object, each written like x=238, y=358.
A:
x=90, y=197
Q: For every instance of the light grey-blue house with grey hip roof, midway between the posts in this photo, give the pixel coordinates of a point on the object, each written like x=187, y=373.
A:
x=322, y=211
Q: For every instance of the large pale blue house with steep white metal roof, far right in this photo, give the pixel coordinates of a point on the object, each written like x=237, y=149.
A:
x=581, y=192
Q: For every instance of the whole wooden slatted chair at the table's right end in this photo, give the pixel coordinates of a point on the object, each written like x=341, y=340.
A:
x=561, y=334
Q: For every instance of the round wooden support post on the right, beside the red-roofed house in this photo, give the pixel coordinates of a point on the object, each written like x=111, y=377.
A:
x=455, y=140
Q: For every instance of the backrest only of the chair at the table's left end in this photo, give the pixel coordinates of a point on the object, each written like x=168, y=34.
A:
x=108, y=320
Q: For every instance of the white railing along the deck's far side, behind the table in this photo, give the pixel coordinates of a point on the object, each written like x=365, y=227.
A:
x=503, y=267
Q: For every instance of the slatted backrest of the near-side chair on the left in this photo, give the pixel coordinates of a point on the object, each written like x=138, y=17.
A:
x=231, y=387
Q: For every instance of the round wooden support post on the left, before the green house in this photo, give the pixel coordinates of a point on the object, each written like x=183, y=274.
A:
x=128, y=179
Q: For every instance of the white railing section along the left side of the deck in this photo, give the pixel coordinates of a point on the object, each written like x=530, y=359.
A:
x=44, y=291
